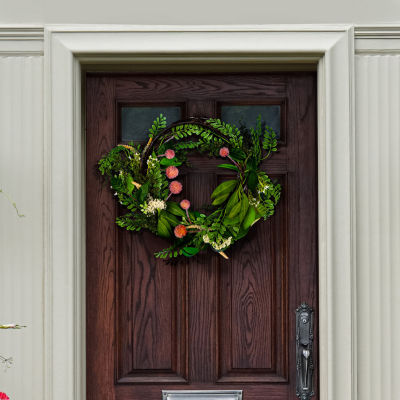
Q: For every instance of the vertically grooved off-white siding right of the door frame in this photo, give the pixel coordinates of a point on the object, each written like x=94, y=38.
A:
x=378, y=225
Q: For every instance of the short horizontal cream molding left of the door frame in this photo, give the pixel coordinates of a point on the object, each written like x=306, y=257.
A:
x=21, y=41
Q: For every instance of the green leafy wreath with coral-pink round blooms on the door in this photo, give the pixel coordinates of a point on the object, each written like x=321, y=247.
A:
x=144, y=180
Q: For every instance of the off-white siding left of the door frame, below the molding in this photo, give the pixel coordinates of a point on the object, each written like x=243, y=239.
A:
x=21, y=239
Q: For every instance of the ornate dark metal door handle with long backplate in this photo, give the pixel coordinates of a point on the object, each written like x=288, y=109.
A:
x=304, y=351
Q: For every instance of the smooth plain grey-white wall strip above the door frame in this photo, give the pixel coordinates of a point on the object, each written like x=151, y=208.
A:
x=199, y=12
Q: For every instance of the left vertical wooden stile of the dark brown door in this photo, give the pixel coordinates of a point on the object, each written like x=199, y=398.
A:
x=100, y=243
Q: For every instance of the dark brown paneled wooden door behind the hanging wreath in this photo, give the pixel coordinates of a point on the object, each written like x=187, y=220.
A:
x=205, y=322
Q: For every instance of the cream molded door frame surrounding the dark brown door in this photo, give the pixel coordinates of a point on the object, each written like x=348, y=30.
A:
x=70, y=50
